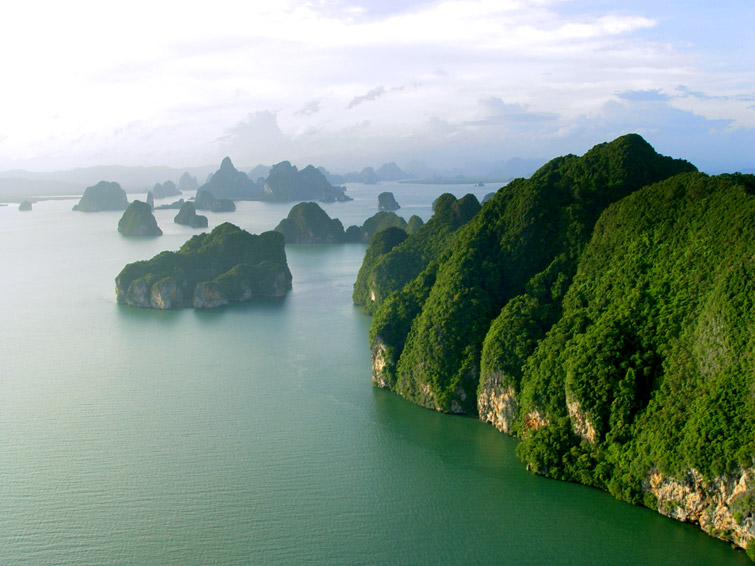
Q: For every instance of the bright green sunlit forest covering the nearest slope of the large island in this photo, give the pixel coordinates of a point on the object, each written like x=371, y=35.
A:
x=654, y=346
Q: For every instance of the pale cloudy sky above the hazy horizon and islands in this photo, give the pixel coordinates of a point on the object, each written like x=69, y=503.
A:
x=346, y=84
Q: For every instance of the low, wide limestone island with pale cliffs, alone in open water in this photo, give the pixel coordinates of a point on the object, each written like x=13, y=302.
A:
x=210, y=270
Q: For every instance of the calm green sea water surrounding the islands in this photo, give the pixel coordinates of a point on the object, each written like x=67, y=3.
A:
x=251, y=434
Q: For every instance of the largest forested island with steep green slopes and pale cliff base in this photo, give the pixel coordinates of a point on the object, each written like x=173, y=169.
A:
x=602, y=312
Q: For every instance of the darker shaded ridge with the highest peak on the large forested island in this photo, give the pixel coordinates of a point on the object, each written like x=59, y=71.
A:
x=525, y=240
